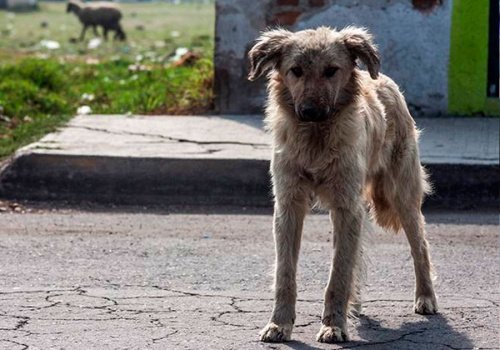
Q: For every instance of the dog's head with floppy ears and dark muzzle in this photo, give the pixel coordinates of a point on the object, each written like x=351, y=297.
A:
x=315, y=66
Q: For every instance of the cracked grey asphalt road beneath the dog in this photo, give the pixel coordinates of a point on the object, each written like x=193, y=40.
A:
x=139, y=280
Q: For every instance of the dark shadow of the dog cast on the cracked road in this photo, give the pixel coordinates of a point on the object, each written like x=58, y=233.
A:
x=434, y=332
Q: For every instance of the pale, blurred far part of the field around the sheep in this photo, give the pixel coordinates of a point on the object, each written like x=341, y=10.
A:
x=150, y=27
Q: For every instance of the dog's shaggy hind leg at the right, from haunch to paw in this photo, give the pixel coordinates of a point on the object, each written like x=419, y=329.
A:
x=398, y=202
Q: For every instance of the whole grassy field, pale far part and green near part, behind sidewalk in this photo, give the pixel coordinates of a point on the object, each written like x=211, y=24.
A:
x=41, y=88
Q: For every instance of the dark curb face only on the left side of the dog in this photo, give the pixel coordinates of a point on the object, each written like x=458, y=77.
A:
x=138, y=181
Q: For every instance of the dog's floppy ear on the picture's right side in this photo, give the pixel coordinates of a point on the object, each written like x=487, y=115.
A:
x=359, y=43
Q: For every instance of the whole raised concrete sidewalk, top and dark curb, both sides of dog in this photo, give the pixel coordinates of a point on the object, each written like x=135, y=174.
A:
x=220, y=160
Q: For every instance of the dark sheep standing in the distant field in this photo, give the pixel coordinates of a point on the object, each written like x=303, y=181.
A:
x=105, y=14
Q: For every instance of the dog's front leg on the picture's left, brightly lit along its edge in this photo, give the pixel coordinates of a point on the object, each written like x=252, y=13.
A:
x=289, y=212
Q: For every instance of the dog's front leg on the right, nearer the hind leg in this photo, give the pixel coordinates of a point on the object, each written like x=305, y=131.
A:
x=347, y=229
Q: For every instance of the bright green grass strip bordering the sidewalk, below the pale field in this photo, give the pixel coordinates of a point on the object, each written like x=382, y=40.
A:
x=37, y=95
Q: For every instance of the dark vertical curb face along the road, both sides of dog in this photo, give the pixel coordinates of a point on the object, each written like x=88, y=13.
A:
x=163, y=181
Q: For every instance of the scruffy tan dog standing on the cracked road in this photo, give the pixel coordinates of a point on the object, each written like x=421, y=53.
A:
x=345, y=137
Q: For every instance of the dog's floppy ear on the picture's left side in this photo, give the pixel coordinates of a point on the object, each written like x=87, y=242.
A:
x=267, y=51
